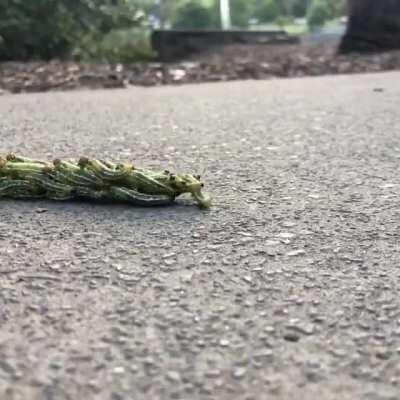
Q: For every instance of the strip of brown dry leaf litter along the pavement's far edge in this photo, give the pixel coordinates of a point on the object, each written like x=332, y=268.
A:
x=230, y=63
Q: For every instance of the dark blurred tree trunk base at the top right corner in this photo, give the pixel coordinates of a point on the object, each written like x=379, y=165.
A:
x=374, y=25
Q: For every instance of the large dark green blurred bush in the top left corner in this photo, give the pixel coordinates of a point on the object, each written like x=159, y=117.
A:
x=45, y=29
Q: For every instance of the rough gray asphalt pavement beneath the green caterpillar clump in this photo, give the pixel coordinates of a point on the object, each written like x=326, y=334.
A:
x=287, y=288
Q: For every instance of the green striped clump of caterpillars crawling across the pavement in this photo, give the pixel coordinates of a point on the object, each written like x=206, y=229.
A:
x=23, y=178
